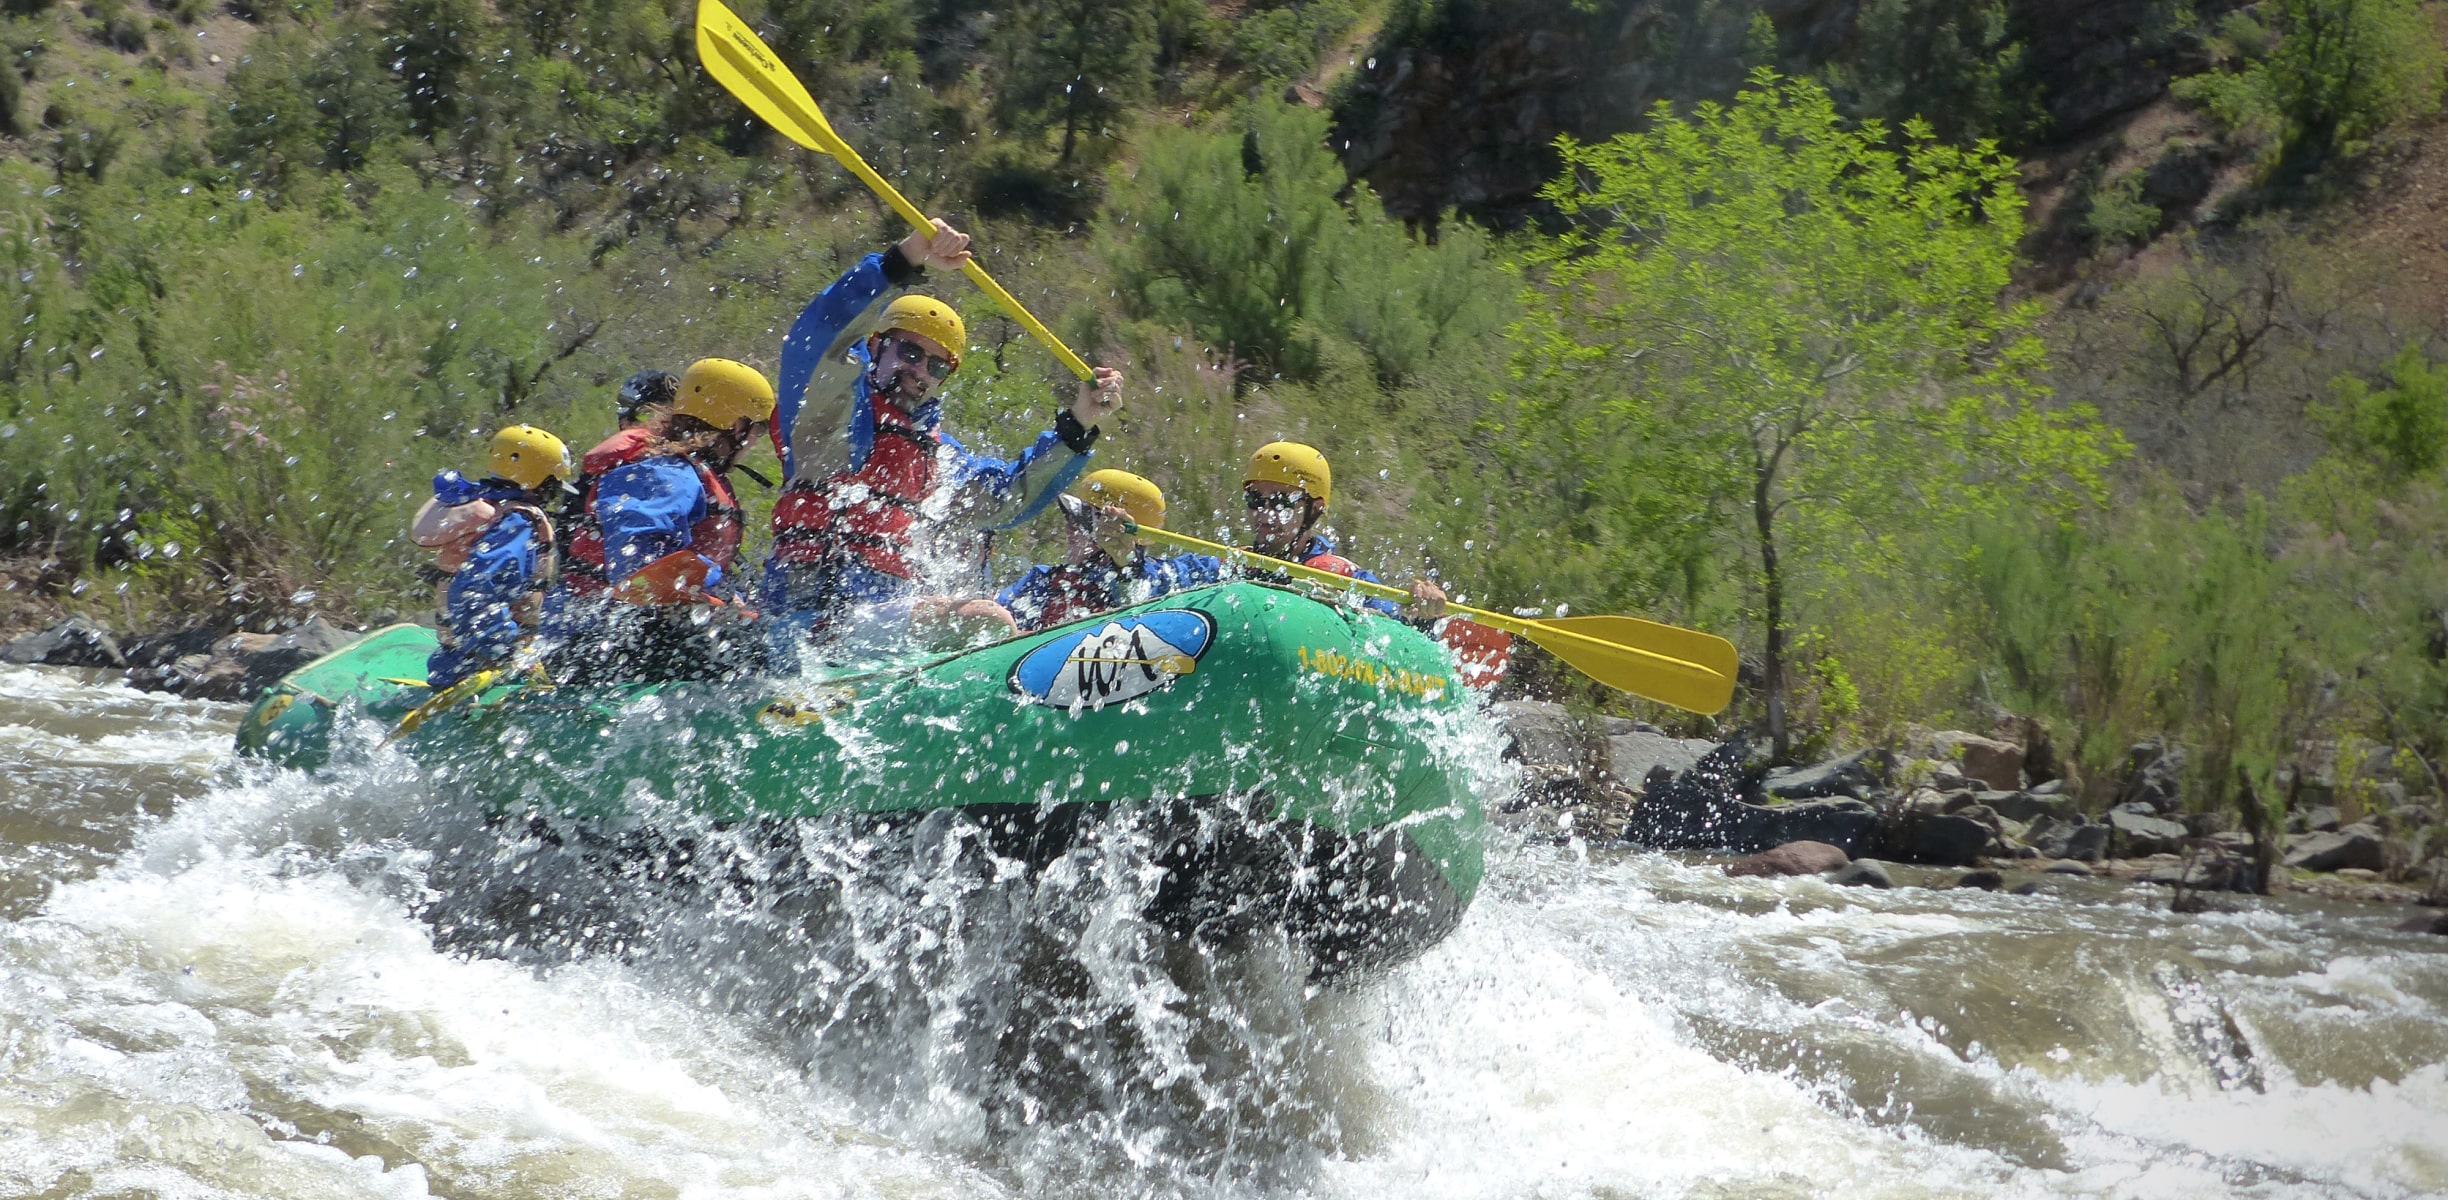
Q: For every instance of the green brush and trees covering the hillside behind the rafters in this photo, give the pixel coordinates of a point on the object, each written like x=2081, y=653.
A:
x=1759, y=361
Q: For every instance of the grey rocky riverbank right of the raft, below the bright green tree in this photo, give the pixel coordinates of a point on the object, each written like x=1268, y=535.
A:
x=1982, y=804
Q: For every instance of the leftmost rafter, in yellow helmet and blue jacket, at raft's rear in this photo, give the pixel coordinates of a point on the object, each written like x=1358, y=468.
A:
x=493, y=601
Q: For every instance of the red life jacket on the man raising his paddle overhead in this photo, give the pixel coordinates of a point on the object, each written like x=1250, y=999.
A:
x=863, y=513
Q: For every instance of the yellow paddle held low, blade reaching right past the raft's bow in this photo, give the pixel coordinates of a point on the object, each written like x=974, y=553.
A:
x=1661, y=662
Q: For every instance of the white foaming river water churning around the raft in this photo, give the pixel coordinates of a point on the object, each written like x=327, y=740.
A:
x=219, y=981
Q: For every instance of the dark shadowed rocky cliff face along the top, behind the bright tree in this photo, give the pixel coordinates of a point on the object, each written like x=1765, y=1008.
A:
x=1460, y=104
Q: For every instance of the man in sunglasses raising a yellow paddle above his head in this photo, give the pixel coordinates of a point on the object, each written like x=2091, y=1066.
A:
x=873, y=474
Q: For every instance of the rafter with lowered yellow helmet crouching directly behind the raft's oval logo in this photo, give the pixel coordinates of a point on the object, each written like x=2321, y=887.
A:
x=1105, y=564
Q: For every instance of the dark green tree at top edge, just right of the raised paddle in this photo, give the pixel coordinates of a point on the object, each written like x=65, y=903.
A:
x=1073, y=65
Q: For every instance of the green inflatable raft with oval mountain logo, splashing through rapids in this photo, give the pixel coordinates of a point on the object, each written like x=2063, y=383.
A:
x=1304, y=763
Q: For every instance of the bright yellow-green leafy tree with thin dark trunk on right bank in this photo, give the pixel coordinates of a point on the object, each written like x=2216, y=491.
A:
x=1805, y=332
